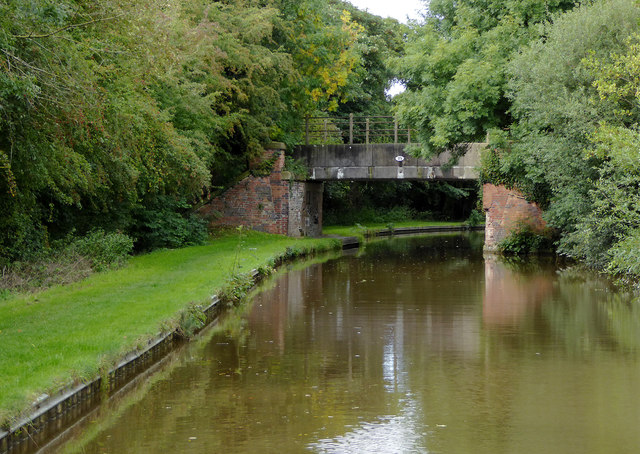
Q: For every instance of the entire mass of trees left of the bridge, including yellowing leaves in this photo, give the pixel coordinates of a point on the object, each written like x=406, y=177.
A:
x=122, y=114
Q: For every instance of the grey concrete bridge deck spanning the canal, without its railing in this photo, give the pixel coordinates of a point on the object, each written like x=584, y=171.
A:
x=380, y=162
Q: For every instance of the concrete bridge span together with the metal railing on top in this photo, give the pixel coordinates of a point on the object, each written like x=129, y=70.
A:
x=374, y=148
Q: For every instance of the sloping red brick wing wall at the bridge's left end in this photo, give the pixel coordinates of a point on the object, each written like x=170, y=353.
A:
x=260, y=203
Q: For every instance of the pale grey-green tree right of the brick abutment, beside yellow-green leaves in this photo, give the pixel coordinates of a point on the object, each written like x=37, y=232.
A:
x=557, y=110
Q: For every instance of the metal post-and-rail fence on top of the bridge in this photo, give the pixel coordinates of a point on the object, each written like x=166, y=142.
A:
x=355, y=130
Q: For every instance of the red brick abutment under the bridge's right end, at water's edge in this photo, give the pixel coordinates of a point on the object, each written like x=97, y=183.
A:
x=506, y=210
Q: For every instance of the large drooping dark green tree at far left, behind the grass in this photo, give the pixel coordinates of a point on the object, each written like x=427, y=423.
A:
x=82, y=131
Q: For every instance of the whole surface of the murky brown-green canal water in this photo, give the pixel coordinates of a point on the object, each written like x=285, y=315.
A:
x=416, y=345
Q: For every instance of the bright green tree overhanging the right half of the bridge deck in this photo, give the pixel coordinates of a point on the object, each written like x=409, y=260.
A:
x=455, y=67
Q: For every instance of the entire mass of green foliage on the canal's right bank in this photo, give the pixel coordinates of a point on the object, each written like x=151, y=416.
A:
x=557, y=86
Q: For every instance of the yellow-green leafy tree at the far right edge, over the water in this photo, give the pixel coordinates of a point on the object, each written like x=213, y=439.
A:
x=607, y=237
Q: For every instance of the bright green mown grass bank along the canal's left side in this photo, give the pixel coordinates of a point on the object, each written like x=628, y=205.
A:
x=66, y=333
